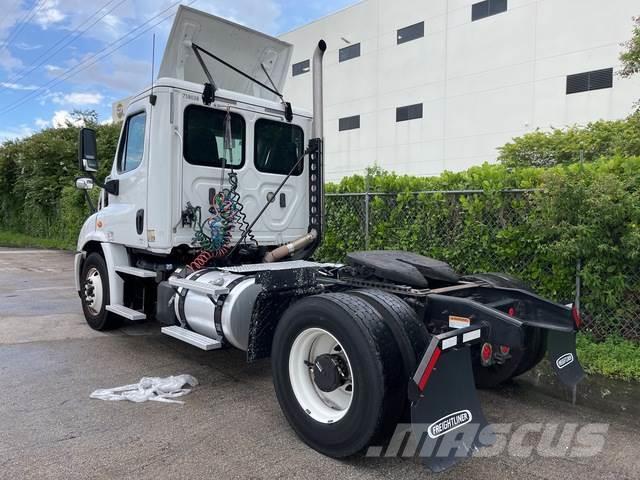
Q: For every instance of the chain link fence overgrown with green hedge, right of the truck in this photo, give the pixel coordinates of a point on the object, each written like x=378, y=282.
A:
x=477, y=231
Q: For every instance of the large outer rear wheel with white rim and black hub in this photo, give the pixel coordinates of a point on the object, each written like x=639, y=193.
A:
x=375, y=367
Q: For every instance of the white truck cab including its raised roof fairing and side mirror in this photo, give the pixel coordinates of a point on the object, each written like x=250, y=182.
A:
x=212, y=133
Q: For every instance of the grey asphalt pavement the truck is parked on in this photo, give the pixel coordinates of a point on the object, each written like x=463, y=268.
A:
x=229, y=427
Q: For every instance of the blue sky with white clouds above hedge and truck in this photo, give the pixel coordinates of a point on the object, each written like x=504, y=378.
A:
x=60, y=55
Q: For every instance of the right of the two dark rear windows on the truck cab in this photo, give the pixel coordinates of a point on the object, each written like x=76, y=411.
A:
x=278, y=147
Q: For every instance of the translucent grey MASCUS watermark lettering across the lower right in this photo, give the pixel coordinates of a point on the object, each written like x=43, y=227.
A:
x=516, y=440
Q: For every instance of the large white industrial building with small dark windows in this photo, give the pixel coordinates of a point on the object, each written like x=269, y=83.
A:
x=422, y=86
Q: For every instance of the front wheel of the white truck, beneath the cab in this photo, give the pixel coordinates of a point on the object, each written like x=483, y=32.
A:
x=94, y=294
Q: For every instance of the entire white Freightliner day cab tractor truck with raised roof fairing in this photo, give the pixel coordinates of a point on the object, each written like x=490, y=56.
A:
x=208, y=223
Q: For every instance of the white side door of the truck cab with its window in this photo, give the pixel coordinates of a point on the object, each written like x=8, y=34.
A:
x=123, y=219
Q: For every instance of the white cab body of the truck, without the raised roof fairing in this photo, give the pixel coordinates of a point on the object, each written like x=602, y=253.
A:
x=171, y=155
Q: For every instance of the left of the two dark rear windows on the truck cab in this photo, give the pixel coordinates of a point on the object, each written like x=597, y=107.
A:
x=204, y=131
